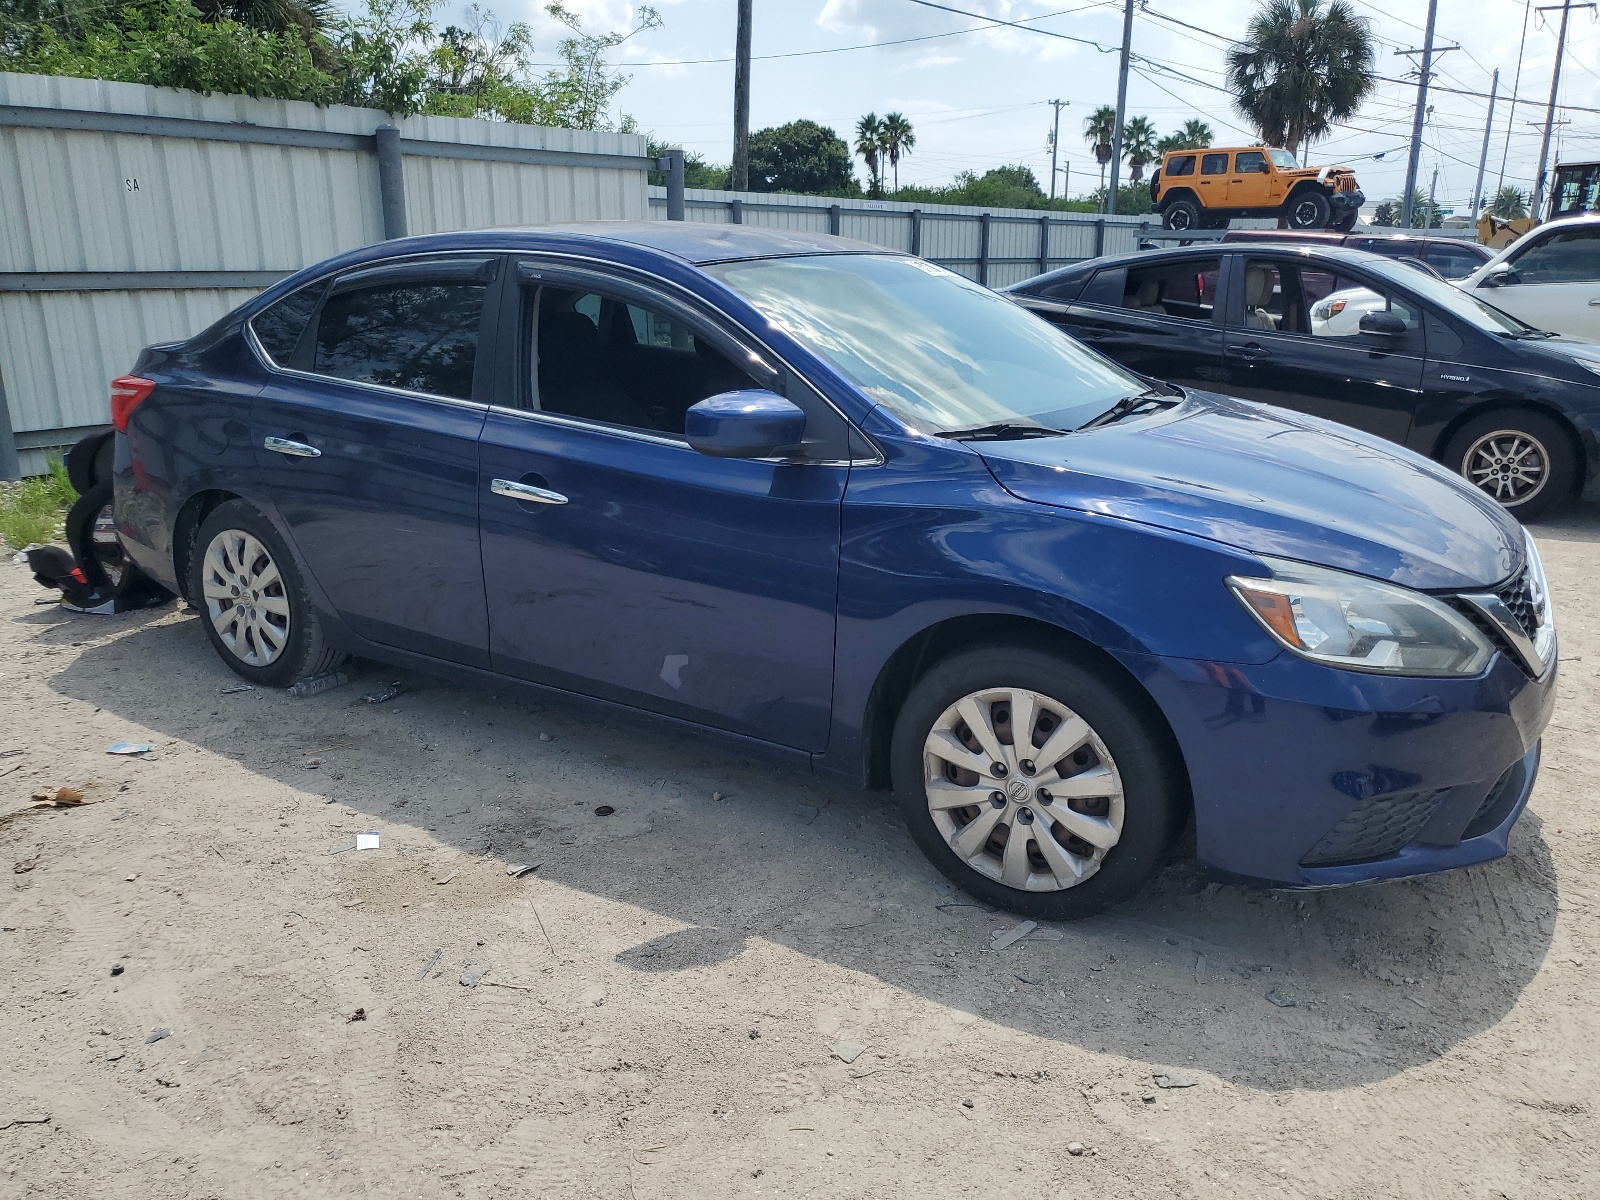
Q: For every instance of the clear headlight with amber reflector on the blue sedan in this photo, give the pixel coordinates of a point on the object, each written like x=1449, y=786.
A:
x=1351, y=622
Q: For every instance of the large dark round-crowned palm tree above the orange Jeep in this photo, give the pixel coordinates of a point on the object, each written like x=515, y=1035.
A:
x=1302, y=66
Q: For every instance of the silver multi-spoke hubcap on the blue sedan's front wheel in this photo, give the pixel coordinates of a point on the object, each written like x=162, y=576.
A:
x=1050, y=828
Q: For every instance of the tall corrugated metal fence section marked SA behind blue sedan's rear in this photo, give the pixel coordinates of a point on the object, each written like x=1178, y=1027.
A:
x=135, y=215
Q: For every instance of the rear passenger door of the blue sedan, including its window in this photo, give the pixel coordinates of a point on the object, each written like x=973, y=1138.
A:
x=367, y=441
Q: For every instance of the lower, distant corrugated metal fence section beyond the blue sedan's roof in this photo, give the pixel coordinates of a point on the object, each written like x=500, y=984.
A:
x=991, y=246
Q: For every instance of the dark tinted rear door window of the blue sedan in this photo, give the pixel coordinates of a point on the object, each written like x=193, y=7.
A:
x=418, y=337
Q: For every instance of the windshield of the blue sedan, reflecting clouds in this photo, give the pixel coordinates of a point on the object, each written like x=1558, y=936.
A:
x=938, y=351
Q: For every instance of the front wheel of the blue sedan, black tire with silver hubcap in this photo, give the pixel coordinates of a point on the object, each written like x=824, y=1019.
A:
x=1132, y=796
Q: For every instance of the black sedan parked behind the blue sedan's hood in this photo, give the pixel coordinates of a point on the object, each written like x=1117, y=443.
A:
x=1354, y=338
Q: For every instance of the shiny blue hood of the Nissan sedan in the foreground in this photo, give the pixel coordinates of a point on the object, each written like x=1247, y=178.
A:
x=1273, y=482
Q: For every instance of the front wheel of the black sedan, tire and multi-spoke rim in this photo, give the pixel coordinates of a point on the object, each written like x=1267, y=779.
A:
x=1522, y=460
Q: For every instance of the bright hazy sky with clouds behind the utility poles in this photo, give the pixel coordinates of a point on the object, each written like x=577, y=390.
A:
x=978, y=94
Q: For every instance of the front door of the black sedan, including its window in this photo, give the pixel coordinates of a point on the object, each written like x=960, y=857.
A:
x=1295, y=340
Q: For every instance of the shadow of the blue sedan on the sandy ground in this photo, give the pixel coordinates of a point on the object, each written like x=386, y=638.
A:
x=1270, y=990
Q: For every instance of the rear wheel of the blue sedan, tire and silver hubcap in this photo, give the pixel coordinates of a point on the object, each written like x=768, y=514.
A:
x=279, y=639
